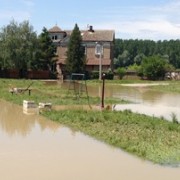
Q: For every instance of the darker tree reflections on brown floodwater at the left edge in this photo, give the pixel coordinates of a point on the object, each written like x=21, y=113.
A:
x=13, y=121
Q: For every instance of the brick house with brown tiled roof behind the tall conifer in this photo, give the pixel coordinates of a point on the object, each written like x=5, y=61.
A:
x=98, y=44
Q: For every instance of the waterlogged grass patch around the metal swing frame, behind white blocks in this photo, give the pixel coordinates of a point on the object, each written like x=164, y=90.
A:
x=41, y=92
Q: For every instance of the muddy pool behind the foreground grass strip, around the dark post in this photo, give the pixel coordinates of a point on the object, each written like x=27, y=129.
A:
x=143, y=100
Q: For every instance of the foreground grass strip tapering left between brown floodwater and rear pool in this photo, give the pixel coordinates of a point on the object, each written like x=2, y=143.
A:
x=147, y=137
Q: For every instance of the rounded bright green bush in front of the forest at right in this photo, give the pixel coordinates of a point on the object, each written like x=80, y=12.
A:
x=153, y=67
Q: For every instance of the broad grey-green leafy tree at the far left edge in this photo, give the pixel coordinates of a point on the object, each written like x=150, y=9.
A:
x=18, y=45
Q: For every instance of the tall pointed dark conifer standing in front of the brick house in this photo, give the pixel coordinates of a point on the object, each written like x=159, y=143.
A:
x=75, y=61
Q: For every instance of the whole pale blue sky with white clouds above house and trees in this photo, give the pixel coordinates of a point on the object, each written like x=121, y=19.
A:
x=130, y=19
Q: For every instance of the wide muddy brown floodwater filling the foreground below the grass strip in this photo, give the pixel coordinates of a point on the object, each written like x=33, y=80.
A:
x=34, y=148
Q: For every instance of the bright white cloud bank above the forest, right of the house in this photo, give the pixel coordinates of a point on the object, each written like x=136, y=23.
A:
x=143, y=22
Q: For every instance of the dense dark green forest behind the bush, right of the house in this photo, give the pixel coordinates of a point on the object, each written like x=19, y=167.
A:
x=129, y=52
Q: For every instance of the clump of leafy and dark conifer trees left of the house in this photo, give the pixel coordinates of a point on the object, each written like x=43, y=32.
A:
x=21, y=48
